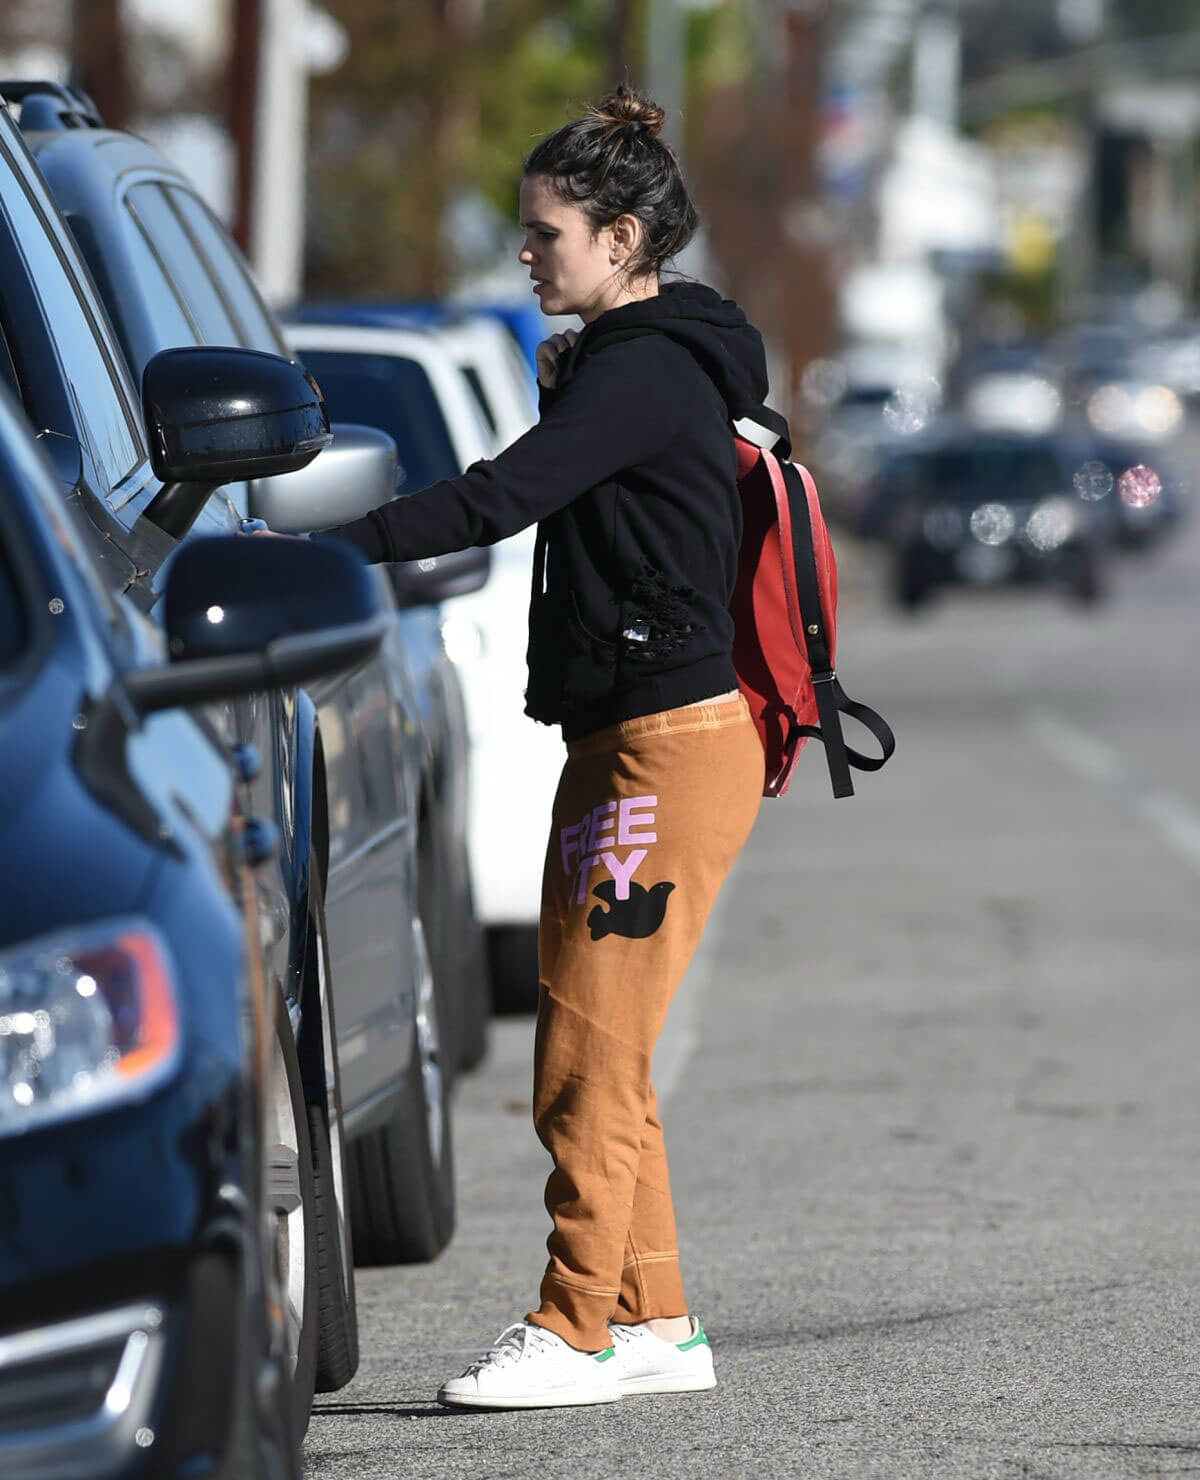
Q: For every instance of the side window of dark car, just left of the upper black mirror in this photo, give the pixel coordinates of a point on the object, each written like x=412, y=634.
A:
x=87, y=354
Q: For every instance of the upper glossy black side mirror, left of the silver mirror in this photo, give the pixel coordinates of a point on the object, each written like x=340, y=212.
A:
x=220, y=417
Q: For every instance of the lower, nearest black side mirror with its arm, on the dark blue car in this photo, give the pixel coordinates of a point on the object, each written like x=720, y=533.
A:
x=248, y=613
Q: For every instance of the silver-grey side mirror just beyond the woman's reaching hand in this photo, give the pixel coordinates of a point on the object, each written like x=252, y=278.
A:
x=356, y=474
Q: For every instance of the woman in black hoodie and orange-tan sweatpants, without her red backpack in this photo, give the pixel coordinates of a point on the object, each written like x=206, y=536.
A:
x=631, y=477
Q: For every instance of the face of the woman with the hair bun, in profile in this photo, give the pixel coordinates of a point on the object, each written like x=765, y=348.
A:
x=573, y=269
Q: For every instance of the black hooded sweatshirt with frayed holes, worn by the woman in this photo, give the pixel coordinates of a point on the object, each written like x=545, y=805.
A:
x=631, y=477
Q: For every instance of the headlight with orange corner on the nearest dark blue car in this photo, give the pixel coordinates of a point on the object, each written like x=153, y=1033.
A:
x=88, y=1020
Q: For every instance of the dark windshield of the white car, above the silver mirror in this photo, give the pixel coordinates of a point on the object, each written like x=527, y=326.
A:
x=396, y=396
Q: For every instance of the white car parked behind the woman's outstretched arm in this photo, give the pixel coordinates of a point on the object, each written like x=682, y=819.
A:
x=406, y=383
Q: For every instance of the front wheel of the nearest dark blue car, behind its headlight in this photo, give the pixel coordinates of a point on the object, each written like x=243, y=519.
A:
x=291, y=1201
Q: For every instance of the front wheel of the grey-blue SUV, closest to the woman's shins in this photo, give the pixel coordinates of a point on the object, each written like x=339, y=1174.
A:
x=403, y=1173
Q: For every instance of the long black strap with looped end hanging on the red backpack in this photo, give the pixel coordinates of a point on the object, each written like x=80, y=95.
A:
x=832, y=701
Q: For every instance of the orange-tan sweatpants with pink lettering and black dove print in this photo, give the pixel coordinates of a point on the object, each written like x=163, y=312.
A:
x=649, y=818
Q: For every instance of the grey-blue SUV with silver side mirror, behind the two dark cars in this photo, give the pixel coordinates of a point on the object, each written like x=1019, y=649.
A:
x=378, y=764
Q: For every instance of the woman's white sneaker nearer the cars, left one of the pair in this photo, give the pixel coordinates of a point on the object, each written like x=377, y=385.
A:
x=533, y=1368
